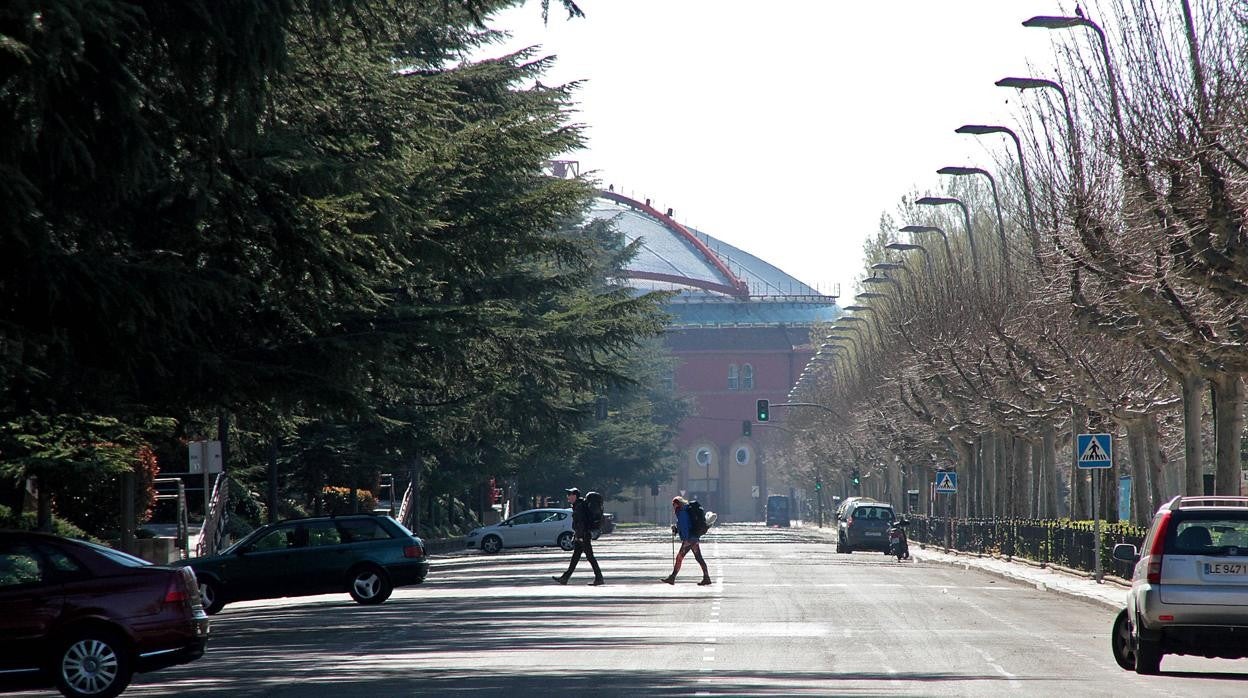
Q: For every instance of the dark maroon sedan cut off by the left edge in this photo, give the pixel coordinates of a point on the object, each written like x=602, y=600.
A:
x=85, y=619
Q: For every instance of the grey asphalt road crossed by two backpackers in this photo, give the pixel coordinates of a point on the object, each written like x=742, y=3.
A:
x=787, y=616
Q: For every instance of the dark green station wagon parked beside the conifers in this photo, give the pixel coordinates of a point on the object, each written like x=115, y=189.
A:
x=366, y=556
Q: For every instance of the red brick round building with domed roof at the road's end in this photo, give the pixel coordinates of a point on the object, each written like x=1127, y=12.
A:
x=741, y=333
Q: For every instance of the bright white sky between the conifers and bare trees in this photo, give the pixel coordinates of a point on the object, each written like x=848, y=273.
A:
x=788, y=129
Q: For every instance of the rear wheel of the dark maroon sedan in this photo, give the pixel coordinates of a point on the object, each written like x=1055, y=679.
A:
x=94, y=664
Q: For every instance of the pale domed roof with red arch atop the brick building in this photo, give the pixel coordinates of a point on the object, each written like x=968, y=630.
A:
x=717, y=284
